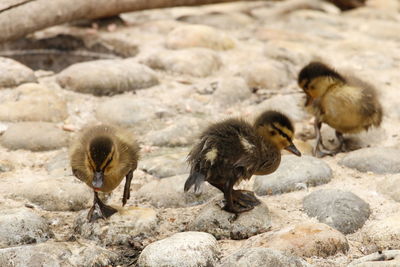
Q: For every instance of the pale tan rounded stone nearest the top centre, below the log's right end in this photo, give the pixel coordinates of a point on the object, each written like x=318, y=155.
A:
x=198, y=36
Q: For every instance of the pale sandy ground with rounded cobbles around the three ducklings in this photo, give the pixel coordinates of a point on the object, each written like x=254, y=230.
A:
x=165, y=75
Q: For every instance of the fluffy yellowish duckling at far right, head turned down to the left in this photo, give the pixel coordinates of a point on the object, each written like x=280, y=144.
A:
x=346, y=104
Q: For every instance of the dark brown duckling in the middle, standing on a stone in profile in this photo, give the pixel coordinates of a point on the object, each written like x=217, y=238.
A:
x=233, y=150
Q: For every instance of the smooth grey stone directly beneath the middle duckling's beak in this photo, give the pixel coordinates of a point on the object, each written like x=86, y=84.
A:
x=294, y=173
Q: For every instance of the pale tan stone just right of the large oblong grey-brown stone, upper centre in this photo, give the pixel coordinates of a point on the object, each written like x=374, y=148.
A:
x=198, y=62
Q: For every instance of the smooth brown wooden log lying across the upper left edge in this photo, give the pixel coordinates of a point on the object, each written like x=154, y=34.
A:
x=21, y=17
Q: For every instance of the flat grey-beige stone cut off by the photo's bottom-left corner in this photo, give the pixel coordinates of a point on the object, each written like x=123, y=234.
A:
x=57, y=254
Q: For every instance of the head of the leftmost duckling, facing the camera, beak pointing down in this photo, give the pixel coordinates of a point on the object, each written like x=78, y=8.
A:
x=101, y=157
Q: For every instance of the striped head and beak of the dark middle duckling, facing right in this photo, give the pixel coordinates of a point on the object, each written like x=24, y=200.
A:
x=275, y=127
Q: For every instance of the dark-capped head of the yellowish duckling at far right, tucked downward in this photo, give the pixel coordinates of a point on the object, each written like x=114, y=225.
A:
x=316, y=78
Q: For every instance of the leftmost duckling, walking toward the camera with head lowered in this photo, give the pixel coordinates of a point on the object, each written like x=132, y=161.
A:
x=101, y=157
